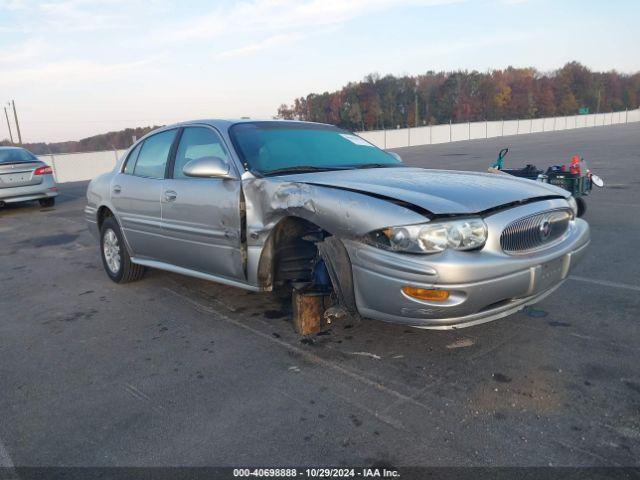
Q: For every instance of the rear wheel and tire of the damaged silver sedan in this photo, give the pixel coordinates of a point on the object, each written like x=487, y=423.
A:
x=115, y=257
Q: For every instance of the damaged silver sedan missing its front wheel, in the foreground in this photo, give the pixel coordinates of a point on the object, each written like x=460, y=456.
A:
x=269, y=204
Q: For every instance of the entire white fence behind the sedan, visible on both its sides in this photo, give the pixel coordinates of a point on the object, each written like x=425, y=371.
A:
x=74, y=167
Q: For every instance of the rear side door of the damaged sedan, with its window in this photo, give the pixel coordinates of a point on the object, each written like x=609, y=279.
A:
x=136, y=191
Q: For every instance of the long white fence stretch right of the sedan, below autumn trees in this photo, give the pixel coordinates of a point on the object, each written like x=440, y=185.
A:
x=409, y=137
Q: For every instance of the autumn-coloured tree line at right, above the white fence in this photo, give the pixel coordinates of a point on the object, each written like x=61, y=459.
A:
x=386, y=102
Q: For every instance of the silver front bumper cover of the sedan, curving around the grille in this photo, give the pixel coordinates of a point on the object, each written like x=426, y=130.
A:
x=485, y=285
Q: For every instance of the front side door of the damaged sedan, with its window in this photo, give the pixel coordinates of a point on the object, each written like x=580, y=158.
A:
x=201, y=220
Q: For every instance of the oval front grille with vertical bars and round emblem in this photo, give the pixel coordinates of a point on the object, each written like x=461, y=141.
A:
x=536, y=231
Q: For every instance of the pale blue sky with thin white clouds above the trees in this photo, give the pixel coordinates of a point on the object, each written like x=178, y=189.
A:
x=81, y=67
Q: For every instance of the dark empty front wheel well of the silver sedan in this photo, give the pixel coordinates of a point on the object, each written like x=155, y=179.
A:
x=290, y=253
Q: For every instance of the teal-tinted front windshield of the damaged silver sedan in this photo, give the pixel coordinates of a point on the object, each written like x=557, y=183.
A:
x=273, y=148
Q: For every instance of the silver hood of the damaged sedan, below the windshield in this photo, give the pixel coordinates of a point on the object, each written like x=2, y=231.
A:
x=438, y=191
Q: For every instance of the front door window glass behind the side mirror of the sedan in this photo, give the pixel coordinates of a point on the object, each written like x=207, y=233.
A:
x=196, y=143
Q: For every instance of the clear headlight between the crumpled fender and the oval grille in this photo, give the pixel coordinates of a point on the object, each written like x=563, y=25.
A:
x=467, y=234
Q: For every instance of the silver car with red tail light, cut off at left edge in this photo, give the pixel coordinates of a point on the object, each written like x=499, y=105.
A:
x=24, y=178
